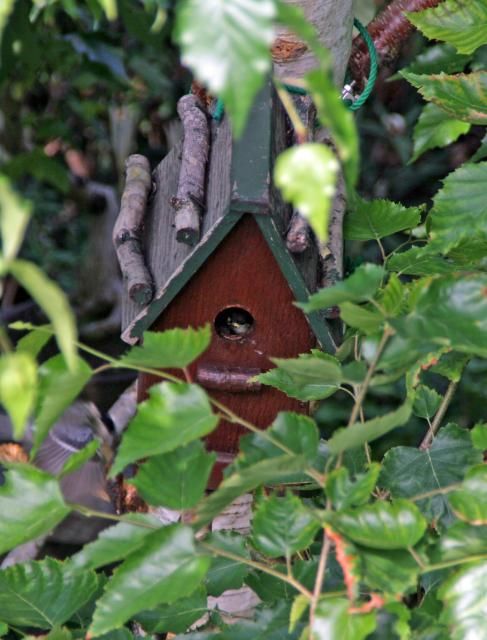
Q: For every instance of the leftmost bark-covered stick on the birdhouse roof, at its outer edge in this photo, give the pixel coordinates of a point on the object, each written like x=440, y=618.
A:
x=127, y=233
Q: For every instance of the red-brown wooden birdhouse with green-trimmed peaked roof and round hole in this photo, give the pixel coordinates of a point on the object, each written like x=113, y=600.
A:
x=231, y=267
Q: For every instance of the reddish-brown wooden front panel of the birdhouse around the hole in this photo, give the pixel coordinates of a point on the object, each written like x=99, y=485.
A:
x=241, y=272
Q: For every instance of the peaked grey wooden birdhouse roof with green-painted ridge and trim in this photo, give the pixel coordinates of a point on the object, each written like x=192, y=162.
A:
x=238, y=182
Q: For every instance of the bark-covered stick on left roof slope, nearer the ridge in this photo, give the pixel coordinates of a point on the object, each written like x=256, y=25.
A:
x=189, y=202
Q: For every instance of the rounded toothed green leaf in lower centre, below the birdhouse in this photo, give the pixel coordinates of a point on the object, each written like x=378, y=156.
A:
x=283, y=526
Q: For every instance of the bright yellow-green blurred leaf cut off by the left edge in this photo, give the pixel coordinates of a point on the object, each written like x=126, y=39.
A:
x=18, y=389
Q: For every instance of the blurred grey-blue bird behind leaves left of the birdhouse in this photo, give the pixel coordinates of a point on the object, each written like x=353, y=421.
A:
x=80, y=424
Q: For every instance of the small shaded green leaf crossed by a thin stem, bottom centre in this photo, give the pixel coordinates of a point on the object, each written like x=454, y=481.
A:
x=224, y=573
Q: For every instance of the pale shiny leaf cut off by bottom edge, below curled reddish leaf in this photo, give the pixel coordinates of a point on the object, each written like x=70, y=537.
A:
x=332, y=620
